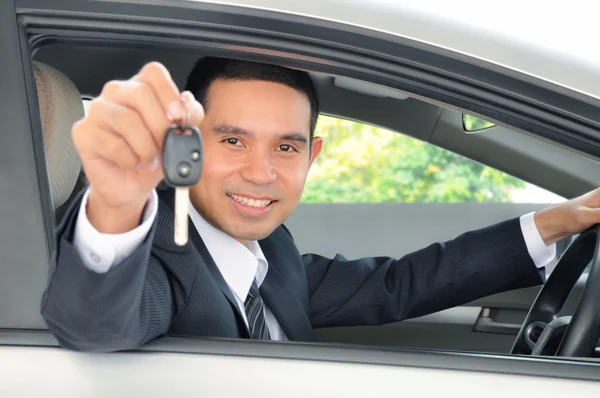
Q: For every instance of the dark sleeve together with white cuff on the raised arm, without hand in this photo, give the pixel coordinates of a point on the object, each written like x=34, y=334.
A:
x=106, y=306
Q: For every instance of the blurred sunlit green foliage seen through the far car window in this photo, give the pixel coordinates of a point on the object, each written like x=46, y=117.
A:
x=365, y=164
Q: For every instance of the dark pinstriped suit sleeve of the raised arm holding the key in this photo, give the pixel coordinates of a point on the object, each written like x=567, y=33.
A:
x=123, y=308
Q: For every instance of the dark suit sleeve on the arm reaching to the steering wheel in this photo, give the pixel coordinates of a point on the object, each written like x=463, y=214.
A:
x=379, y=290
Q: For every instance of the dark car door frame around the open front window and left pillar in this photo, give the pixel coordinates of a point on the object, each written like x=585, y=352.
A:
x=25, y=185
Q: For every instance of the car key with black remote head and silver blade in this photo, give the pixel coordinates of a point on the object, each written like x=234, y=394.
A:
x=182, y=166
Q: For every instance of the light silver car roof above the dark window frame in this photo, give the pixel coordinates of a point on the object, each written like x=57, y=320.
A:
x=556, y=44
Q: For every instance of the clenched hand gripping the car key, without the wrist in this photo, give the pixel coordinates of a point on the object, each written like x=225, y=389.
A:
x=128, y=122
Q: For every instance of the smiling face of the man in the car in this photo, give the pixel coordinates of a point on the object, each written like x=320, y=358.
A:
x=257, y=154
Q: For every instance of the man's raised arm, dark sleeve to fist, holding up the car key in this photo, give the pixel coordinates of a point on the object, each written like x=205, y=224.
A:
x=118, y=307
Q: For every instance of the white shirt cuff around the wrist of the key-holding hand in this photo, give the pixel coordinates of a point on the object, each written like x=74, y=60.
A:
x=100, y=251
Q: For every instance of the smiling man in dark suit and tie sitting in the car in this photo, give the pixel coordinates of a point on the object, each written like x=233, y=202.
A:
x=121, y=281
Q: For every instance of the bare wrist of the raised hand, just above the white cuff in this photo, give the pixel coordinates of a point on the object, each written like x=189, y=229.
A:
x=110, y=219
